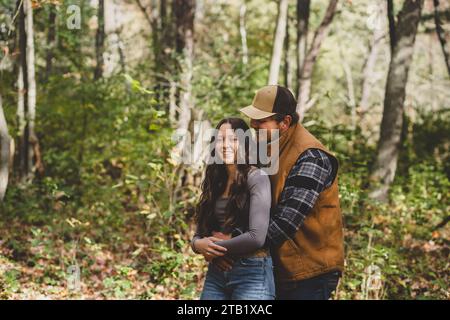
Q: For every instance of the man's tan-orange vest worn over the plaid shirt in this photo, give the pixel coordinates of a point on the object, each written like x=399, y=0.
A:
x=318, y=246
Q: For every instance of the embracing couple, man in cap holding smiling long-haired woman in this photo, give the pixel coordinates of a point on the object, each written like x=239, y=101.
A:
x=270, y=235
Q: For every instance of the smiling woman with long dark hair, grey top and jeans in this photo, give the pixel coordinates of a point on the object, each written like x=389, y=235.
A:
x=234, y=196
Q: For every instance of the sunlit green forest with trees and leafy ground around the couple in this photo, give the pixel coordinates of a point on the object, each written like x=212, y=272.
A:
x=93, y=203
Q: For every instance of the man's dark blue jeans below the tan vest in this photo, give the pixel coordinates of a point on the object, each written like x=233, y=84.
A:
x=317, y=288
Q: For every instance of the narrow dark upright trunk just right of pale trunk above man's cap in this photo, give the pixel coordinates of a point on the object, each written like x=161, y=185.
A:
x=302, y=37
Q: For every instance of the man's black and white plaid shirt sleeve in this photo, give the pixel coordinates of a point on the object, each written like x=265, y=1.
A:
x=311, y=174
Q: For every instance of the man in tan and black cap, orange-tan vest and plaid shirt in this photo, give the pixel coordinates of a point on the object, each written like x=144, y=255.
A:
x=305, y=232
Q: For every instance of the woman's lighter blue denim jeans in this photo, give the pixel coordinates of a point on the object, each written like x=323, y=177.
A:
x=249, y=279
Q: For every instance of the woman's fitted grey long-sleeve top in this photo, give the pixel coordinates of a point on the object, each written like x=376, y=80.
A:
x=259, y=216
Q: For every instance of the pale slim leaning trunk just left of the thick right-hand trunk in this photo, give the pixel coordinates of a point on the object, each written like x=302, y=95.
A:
x=369, y=66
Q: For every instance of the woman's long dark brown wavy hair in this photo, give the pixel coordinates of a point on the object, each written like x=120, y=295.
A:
x=214, y=184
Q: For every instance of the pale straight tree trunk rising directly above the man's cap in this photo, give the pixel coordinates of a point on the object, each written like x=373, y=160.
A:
x=280, y=34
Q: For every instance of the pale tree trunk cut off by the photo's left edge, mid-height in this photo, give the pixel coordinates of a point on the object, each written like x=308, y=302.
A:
x=5, y=147
